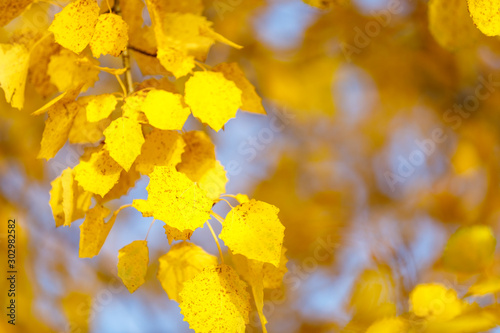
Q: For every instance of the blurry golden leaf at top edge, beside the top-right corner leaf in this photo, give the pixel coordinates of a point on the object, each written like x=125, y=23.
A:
x=450, y=24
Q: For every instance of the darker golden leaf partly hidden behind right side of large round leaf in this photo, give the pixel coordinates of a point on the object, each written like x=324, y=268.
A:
x=250, y=101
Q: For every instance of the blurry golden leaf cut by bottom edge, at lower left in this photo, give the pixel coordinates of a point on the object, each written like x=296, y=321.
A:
x=76, y=307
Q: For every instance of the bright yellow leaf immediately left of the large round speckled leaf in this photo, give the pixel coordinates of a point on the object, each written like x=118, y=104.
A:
x=165, y=110
